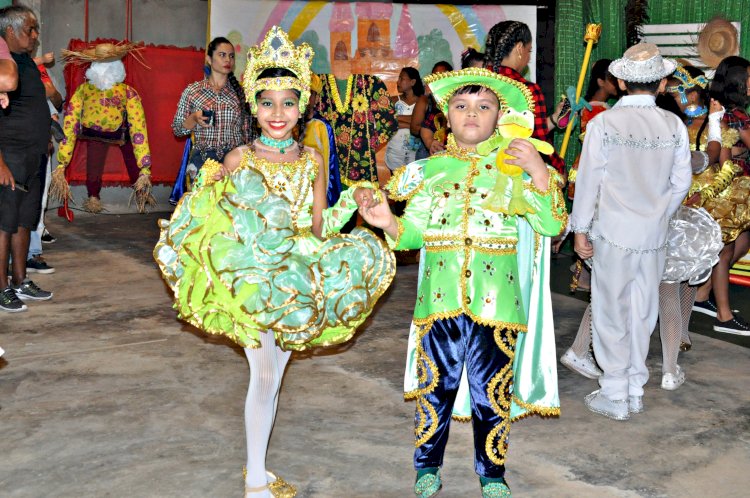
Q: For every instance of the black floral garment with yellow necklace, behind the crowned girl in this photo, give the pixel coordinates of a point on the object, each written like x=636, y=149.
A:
x=363, y=121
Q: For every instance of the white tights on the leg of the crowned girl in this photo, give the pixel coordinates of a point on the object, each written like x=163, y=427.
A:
x=267, y=365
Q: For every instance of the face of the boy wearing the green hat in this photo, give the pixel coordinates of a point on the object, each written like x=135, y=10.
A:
x=472, y=117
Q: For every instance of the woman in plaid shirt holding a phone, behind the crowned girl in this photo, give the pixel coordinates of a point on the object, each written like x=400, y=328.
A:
x=214, y=111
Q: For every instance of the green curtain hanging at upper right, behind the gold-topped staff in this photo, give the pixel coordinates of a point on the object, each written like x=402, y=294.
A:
x=571, y=17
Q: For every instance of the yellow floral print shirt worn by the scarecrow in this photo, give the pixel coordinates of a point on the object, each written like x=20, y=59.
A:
x=106, y=111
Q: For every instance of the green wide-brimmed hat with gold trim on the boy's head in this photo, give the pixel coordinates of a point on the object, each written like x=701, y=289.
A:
x=510, y=93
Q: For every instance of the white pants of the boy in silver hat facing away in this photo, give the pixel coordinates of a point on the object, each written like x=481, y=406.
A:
x=624, y=309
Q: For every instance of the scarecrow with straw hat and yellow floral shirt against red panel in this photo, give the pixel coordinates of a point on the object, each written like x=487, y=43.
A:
x=105, y=111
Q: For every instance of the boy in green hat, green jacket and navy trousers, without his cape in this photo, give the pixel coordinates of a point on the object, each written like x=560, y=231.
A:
x=470, y=305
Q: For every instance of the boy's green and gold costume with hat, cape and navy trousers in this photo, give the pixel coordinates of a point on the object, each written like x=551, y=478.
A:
x=483, y=311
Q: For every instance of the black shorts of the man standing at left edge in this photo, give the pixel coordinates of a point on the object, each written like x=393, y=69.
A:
x=22, y=206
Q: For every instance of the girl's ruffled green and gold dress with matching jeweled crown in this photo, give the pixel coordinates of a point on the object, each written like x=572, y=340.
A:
x=240, y=256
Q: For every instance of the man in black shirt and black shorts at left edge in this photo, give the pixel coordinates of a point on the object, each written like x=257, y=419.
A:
x=24, y=134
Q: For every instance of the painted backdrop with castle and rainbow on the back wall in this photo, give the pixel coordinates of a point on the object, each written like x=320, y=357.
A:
x=367, y=37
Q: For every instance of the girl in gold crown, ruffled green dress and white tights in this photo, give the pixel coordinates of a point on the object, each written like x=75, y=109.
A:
x=253, y=253
